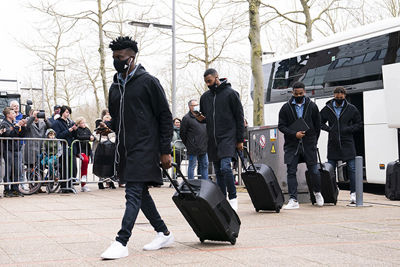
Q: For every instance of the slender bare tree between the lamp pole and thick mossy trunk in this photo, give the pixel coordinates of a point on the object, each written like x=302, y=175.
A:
x=206, y=30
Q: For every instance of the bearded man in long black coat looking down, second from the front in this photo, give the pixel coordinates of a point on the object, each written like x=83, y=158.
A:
x=222, y=111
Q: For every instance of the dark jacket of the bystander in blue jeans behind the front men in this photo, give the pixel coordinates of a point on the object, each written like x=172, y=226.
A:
x=194, y=135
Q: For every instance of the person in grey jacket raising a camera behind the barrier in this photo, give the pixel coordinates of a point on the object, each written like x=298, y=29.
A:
x=36, y=127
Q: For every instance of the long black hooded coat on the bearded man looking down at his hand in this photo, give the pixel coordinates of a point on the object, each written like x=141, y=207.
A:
x=224, y=118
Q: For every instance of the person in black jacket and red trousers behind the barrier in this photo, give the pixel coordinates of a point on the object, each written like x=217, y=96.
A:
x=84, y=149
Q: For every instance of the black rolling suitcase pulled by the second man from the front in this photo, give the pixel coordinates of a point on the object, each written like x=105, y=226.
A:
x=263, y=187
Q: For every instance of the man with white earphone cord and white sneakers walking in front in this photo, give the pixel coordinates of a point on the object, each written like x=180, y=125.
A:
x=142, y=122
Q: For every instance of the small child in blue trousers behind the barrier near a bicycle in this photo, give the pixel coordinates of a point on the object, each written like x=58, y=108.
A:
x=51, y=151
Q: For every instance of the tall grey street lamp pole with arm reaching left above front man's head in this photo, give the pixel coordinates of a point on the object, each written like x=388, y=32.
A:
x=172, y=28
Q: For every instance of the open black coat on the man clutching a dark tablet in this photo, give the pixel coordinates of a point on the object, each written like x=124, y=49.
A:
x=288, y=115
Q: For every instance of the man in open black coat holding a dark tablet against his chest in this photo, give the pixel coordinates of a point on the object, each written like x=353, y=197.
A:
x=300, y=146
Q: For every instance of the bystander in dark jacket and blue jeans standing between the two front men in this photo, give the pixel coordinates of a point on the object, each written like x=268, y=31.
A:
x=194, y=137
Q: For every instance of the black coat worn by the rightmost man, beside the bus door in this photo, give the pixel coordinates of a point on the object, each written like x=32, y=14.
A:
x=340, y=139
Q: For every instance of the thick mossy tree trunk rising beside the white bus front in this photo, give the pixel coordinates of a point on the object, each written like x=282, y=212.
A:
x=256, y=63
